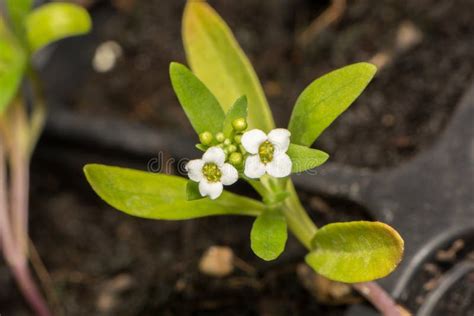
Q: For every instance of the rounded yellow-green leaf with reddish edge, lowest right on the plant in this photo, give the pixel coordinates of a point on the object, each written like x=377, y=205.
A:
x=355, y=251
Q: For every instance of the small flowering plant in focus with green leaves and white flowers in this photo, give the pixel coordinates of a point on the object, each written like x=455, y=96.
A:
x=227, y=108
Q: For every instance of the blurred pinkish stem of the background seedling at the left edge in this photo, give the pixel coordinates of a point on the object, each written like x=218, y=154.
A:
x=14, y=229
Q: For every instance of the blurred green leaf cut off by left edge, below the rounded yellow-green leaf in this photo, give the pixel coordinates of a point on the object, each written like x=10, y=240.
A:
x=12, y=66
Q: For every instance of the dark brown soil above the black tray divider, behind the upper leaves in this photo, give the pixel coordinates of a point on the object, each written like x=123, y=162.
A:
x=400, y=113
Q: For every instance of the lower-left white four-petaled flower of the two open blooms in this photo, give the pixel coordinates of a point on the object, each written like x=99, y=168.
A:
x=212, y=172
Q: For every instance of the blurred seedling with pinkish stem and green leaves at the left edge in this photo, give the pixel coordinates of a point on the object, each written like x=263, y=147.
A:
x=23, y=32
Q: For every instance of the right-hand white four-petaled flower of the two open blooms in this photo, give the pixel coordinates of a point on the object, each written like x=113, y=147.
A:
x=268, y=153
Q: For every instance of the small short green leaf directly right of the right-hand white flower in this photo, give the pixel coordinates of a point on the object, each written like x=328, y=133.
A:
x=305, y=158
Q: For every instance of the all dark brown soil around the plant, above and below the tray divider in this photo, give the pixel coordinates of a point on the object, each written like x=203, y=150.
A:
x=103, y=262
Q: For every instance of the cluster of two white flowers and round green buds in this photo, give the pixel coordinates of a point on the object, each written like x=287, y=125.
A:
x=253, y=153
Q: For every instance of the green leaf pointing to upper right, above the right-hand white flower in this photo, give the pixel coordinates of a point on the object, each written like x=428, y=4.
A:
x=325, y=99
